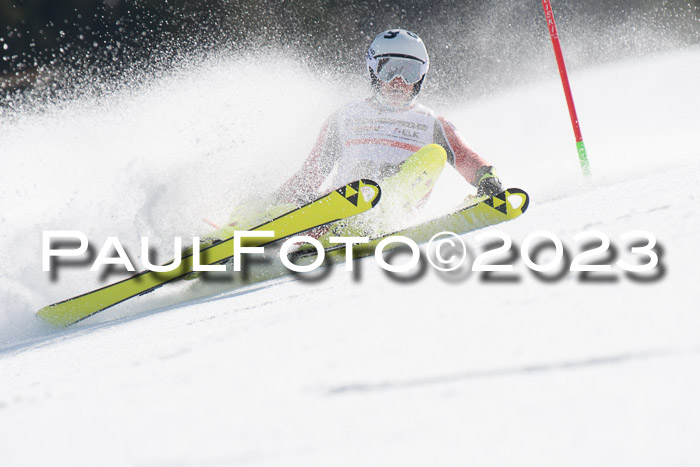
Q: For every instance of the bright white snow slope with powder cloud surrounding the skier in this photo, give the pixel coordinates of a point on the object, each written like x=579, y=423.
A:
x=358, y=368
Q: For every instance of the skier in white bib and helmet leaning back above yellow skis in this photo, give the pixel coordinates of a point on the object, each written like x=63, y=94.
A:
x=371, y=138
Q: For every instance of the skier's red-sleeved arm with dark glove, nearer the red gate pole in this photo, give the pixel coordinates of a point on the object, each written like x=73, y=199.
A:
x=468, y=163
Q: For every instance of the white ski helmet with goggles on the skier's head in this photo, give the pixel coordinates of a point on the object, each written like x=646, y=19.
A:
x=398, y=52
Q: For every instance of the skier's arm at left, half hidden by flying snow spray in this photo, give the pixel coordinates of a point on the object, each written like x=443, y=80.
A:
x=306, y=181
